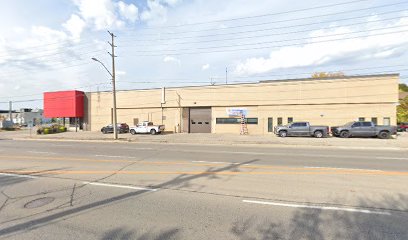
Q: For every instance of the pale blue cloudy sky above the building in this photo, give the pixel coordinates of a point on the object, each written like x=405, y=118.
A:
x=47, y=45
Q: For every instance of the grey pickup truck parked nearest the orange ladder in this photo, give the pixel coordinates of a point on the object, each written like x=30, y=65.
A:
x=302, y=129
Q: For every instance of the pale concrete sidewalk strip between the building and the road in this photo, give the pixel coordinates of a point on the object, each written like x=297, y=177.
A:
x=400, y=143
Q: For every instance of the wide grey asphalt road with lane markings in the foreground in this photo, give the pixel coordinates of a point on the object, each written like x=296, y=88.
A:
x=83, y=190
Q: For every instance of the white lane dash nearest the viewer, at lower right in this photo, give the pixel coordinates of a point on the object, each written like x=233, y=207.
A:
x=359, y=210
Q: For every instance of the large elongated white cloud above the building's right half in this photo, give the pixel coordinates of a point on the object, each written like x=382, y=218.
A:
x=315, y=52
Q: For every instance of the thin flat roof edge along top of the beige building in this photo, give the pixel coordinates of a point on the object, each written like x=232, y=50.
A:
x=265, y=81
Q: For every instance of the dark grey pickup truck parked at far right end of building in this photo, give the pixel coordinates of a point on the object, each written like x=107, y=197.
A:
x=363, y=129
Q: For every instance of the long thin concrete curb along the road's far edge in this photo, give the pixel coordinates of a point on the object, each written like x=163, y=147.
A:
x=216, y=143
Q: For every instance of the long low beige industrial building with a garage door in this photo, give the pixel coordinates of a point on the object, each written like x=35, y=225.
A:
x=210, y=109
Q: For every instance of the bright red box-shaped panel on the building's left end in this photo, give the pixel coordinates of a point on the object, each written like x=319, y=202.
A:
x=64, y=104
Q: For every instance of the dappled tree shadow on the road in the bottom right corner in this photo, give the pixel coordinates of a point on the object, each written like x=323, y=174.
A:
x=315, y=224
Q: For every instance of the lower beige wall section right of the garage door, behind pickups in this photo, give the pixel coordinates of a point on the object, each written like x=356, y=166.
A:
x=330, y=115
